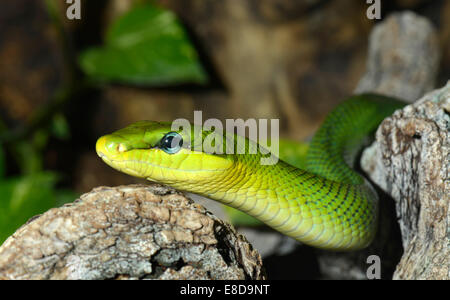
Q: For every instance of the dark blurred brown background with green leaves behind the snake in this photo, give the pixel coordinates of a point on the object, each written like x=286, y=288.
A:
x=64, y=83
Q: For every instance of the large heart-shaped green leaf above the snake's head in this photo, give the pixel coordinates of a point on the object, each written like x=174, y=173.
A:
x=145, y=46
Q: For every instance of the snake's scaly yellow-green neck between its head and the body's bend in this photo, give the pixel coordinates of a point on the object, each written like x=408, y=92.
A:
x=319, y=212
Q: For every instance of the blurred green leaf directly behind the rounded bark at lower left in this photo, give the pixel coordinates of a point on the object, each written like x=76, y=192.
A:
x=24, y=197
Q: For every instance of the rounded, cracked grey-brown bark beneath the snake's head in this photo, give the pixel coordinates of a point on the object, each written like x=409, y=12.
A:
x=129, y=232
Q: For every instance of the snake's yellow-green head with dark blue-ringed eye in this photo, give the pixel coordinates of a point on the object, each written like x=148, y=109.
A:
x=154, y=151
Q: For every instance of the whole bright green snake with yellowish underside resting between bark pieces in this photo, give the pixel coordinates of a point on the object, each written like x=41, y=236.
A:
x=326, y=204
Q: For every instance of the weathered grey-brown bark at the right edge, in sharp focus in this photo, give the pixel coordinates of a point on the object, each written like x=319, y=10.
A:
x=412, y=161
